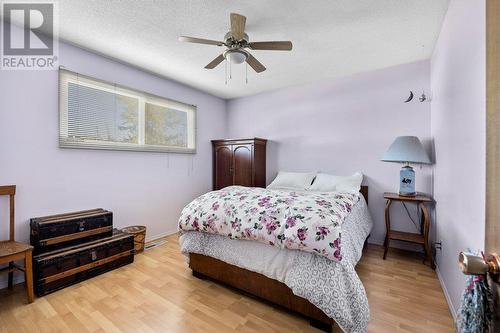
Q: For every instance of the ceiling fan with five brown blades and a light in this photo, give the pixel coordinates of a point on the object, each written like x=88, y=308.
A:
x=236, y=41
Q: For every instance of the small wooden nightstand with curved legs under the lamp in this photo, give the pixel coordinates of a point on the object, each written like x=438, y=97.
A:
x=425, y=223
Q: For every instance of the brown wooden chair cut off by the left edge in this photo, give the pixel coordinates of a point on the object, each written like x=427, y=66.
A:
x=11, y=251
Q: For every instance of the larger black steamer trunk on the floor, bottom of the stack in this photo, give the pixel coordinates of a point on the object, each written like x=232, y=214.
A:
x=64, y=267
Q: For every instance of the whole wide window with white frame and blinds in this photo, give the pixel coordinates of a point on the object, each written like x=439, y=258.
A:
x=100, y=115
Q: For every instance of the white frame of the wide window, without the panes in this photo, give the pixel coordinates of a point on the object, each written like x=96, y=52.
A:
x=66, y=77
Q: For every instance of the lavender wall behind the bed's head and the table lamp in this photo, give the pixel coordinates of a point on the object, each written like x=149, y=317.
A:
x=340, y=127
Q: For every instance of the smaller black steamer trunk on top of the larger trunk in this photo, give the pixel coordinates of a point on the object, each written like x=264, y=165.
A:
x=58, y=231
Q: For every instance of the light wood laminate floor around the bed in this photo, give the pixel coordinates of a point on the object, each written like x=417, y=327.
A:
x=158, y=294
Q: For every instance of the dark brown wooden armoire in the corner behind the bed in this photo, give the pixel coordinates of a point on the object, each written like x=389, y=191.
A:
x=239, y=162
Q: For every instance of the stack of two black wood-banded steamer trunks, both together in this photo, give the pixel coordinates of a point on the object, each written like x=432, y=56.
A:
x=73, y=247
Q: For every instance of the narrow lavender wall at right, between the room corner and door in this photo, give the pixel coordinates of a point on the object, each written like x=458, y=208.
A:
x=458, y=127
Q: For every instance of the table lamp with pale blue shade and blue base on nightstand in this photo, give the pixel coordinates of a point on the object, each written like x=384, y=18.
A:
x=406, y=149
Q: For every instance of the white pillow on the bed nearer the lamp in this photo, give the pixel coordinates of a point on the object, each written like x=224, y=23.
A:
x=330, y=183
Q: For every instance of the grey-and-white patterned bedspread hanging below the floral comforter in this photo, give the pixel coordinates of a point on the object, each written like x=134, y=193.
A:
x=332, y=286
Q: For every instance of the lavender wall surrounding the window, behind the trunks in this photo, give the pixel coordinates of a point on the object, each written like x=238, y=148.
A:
x=139, y=187
